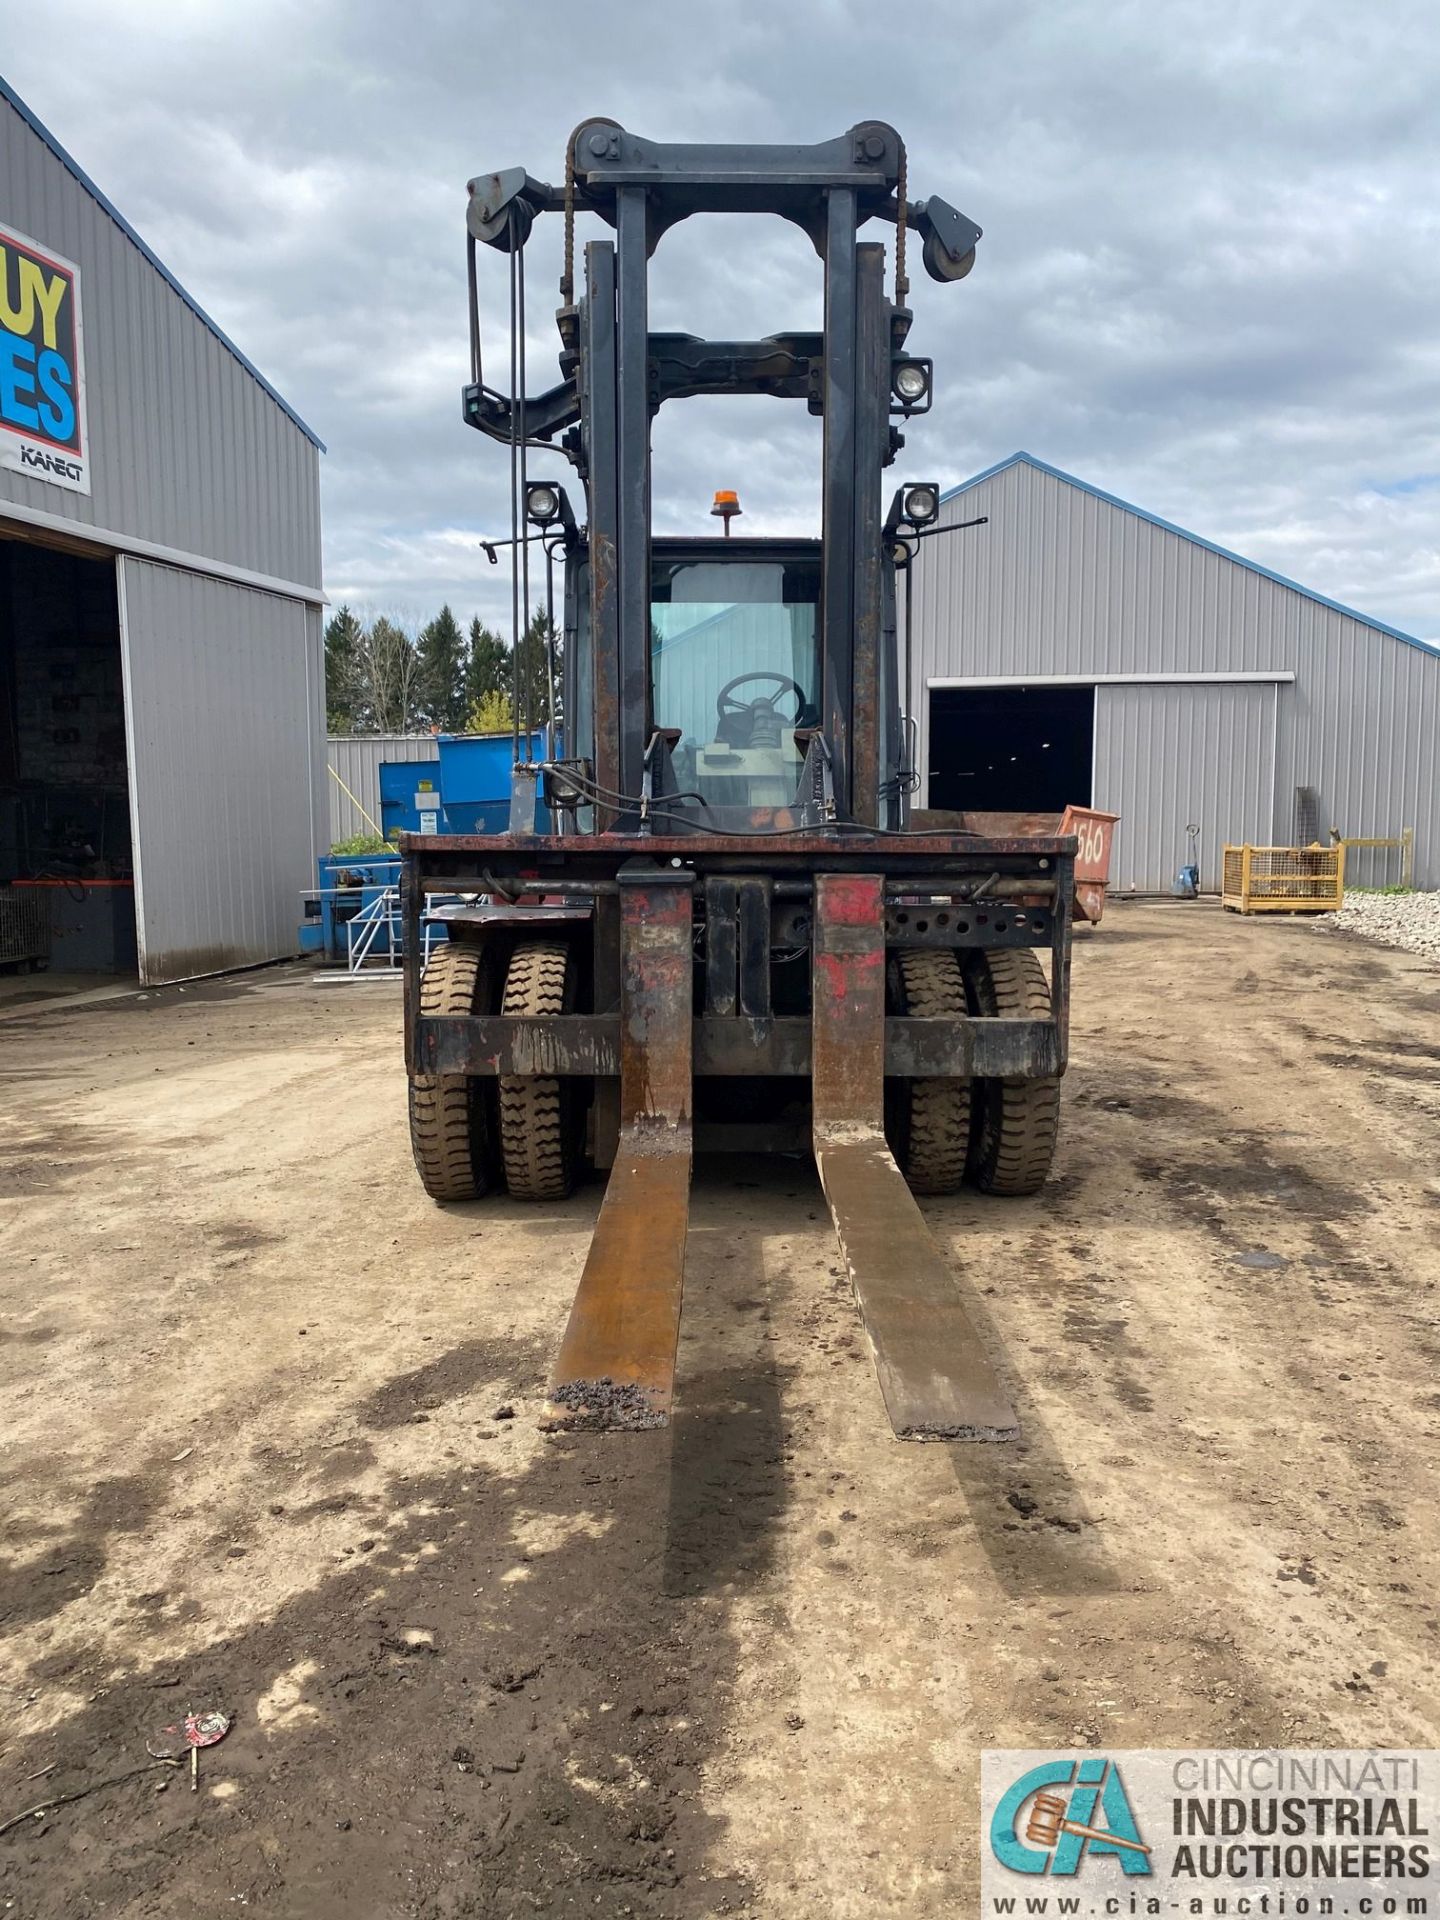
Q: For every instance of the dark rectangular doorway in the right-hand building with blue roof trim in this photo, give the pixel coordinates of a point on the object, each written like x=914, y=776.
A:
x=1009, y=750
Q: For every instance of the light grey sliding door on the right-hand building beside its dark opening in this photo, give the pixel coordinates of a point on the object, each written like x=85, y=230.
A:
x=1176, y=756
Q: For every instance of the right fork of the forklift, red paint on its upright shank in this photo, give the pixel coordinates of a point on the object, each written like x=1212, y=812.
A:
x=930, y=1362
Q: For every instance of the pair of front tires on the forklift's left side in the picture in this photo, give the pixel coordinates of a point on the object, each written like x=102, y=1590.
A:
x=466, y=1130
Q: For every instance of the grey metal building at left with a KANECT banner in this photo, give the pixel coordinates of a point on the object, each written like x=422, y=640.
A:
x=162, y=667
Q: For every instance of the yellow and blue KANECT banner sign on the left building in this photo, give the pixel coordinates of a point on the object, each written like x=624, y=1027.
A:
x=41, y=366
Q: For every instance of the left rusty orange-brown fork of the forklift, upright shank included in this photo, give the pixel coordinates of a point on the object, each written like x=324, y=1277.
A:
x=617, y=1364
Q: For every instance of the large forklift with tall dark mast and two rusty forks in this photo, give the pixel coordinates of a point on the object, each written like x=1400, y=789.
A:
x=717, y=923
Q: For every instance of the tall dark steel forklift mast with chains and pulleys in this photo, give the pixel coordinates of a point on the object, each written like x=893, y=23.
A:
x=857, y=375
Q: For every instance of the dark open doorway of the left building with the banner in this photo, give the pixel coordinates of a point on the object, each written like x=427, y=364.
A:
x=66, y=871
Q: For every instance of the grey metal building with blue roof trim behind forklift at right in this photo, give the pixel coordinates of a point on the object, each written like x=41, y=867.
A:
x=1082, y=650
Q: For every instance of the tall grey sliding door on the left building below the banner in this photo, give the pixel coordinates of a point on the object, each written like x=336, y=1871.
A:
x=226, y=713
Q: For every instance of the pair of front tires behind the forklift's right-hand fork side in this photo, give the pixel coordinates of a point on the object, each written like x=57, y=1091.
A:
x=997, y=1132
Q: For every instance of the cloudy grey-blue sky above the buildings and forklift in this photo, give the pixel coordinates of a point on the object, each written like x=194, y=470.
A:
x=1211, y=276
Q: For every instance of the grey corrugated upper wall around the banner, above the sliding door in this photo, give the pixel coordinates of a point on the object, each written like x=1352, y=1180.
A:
x=187, y=450
